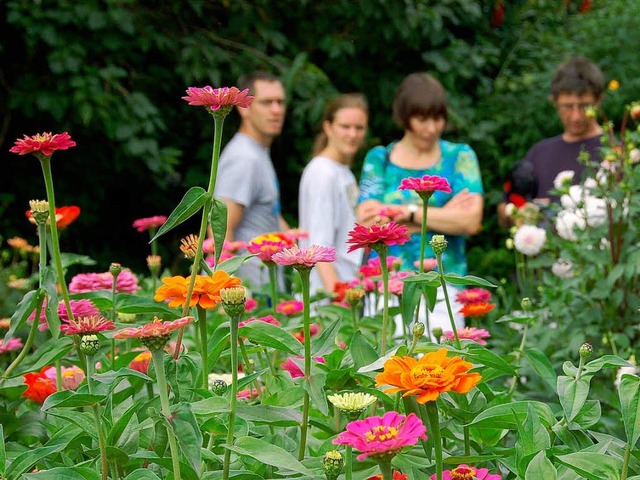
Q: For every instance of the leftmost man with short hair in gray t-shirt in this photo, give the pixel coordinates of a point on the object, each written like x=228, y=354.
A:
x=246, y=179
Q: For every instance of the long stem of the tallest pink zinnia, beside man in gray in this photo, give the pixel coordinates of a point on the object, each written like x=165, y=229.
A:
x=204, y=222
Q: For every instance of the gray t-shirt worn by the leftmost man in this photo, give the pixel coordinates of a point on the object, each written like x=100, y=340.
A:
x=246, y=176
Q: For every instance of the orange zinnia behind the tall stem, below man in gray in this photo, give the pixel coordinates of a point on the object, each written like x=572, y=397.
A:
x=206, y=291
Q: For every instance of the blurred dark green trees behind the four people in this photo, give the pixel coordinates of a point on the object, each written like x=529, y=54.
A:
x=111, y=73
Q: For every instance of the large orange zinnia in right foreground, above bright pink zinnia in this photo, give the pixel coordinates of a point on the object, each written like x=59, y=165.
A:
x=428, y=377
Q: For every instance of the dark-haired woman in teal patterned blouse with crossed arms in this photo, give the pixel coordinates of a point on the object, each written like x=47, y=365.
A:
x=420, y=108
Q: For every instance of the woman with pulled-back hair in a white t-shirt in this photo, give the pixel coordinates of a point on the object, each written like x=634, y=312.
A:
x=329, y=191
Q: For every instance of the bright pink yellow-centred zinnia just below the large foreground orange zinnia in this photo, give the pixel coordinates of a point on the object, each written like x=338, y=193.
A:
x=382, y=436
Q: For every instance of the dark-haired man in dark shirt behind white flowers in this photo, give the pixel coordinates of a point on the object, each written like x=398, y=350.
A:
x=576, y=91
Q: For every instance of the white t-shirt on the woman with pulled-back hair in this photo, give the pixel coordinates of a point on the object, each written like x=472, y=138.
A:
x=328, y=195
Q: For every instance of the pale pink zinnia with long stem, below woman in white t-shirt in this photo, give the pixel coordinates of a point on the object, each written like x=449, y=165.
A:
x=303, y=260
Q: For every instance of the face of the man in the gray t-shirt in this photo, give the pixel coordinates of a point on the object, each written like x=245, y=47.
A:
x=265, y=116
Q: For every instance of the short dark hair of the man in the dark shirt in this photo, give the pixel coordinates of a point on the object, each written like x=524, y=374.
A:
x=579, y=76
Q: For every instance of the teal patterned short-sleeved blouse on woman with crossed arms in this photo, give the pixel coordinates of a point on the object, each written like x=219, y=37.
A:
x=380, y=180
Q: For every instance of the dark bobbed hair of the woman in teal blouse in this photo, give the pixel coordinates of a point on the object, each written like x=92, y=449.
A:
x=419, y=94
